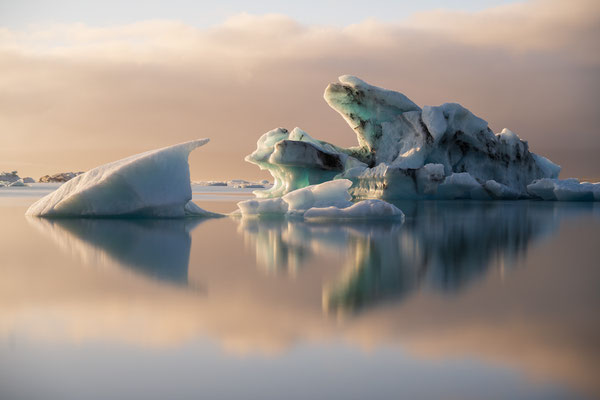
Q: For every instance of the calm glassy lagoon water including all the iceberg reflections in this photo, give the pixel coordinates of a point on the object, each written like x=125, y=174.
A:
x=465, y=300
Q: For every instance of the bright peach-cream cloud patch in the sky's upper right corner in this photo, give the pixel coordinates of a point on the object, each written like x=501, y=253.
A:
x=539, y=25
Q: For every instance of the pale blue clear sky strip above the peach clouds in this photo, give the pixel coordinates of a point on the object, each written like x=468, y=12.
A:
x=208, y=13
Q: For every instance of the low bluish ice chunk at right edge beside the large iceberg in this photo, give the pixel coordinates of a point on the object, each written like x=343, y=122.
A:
x=564, y=190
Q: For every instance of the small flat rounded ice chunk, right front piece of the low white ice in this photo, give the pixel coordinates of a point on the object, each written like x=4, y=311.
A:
x=371, y=209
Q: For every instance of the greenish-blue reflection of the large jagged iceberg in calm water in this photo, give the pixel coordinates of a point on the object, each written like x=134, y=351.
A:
x=442, y=245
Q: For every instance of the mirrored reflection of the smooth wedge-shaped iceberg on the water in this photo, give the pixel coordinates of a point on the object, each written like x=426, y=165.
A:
x=159, y=248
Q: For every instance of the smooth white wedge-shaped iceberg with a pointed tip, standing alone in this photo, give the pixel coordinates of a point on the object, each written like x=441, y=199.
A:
x=151, y=184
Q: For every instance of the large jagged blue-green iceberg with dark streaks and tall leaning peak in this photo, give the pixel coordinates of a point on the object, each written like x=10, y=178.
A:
x=405, y=152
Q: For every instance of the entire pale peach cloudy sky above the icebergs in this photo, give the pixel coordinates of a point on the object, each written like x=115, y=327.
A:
x=85, y=84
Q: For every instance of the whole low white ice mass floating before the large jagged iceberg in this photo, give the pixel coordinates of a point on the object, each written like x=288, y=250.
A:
x=325, y=201
